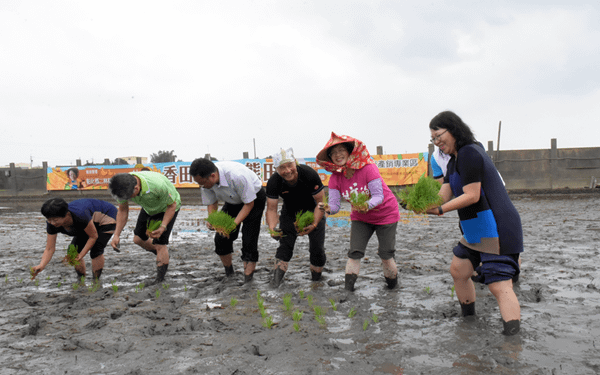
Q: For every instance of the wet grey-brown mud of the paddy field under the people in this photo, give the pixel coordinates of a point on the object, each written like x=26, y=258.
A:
x=198, y=321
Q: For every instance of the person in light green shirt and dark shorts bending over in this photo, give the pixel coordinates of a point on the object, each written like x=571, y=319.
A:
x=159, y=201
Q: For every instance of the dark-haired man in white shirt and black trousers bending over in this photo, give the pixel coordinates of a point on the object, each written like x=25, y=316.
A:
x=244, y=197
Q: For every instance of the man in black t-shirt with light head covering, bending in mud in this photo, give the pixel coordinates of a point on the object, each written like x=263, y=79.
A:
x=301, y=188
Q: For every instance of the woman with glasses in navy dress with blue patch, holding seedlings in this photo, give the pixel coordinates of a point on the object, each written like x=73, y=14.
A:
x=491, y=226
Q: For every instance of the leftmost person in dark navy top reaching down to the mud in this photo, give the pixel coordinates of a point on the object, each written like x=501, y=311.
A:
x=91, y=222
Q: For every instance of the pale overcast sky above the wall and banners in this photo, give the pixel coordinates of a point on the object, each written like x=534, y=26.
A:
x=92, y=80
